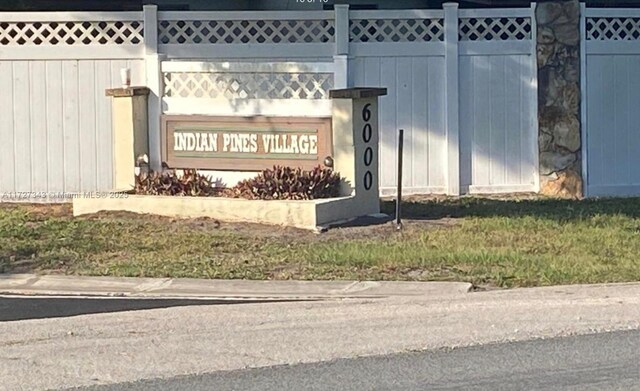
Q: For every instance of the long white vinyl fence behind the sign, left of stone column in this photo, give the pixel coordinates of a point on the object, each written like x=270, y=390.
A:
x=462, y=83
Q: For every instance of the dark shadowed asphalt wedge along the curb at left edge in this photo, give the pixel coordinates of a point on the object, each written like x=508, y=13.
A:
x=22, y=308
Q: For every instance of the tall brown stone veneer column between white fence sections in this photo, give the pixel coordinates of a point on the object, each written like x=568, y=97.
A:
x=558, y=51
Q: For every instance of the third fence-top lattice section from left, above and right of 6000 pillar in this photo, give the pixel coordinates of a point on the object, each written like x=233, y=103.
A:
x=396, y=30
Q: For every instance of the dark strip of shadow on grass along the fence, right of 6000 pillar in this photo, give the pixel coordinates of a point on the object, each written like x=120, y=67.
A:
x=553, y=209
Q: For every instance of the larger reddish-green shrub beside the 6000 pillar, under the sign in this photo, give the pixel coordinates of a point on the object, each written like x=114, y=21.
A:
x=286, y=183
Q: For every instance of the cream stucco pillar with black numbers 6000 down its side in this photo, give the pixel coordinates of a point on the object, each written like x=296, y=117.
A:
x=355, y=146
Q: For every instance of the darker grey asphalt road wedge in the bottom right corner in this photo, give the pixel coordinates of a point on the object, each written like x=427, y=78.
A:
x=601, y=362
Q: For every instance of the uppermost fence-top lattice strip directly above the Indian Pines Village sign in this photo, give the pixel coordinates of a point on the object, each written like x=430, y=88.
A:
x=246, y=31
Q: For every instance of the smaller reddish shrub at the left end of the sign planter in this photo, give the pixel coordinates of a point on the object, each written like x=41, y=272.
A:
x=191, y=183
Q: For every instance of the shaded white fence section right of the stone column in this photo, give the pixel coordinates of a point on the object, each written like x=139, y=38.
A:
x=611, y=132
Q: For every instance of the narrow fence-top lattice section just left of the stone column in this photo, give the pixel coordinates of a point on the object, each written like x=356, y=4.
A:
x=494, y=29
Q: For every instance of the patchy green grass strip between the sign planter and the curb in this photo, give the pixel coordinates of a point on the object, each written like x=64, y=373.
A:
x=504, y=243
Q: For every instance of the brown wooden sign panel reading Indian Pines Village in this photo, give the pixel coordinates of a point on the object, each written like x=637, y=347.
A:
x=244, y=143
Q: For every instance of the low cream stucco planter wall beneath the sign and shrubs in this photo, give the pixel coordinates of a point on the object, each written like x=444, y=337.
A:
x=300, y=214
